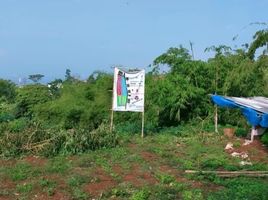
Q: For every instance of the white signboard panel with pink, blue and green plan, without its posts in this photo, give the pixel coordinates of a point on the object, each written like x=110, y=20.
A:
x=128, y=92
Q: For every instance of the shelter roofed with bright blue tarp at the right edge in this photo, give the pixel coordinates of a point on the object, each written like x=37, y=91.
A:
x=255, y=110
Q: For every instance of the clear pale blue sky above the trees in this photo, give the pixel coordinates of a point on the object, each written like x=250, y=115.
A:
x=48, y=36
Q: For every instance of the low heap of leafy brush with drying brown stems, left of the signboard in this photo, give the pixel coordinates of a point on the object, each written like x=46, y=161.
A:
x=38, y=140
